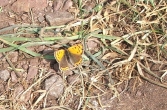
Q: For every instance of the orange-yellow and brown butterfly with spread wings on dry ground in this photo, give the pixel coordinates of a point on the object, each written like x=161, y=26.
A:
x=70, y=57
